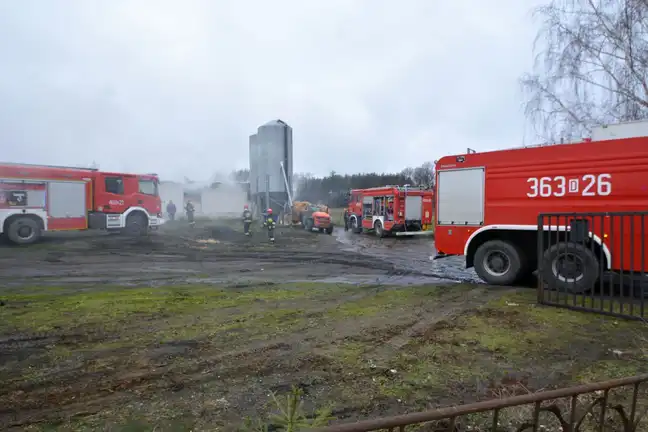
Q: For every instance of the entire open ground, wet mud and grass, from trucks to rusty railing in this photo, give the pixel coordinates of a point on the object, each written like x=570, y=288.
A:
x=193, y=329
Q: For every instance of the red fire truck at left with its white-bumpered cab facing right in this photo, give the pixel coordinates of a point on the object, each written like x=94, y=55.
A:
x=38, y=198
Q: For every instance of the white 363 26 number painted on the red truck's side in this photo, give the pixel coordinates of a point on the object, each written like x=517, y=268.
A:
x=559, y=186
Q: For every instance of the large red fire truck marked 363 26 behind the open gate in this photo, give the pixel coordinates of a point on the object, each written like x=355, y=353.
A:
x=488, y=206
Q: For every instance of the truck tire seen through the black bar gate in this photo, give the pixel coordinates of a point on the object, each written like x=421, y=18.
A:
x=578, y=276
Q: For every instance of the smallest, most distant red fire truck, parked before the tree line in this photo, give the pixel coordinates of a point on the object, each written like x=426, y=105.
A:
x=398, y=210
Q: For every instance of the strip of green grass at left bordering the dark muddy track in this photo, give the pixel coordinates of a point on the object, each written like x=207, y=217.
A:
x=42, y=309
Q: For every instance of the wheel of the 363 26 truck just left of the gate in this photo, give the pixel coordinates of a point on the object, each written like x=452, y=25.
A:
x=498, y=262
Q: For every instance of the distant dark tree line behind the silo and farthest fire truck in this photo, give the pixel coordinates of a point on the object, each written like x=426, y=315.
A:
x=333, y=189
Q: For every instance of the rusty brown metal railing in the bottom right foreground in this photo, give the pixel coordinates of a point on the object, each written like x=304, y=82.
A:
x=615, y=405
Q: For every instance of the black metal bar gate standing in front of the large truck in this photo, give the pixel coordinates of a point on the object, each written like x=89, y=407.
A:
x=594, y=262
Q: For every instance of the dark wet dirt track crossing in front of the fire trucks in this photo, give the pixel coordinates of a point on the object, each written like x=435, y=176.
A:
x=221, y=254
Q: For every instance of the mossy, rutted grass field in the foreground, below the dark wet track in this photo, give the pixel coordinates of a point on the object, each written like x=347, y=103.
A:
x=200, y=356
